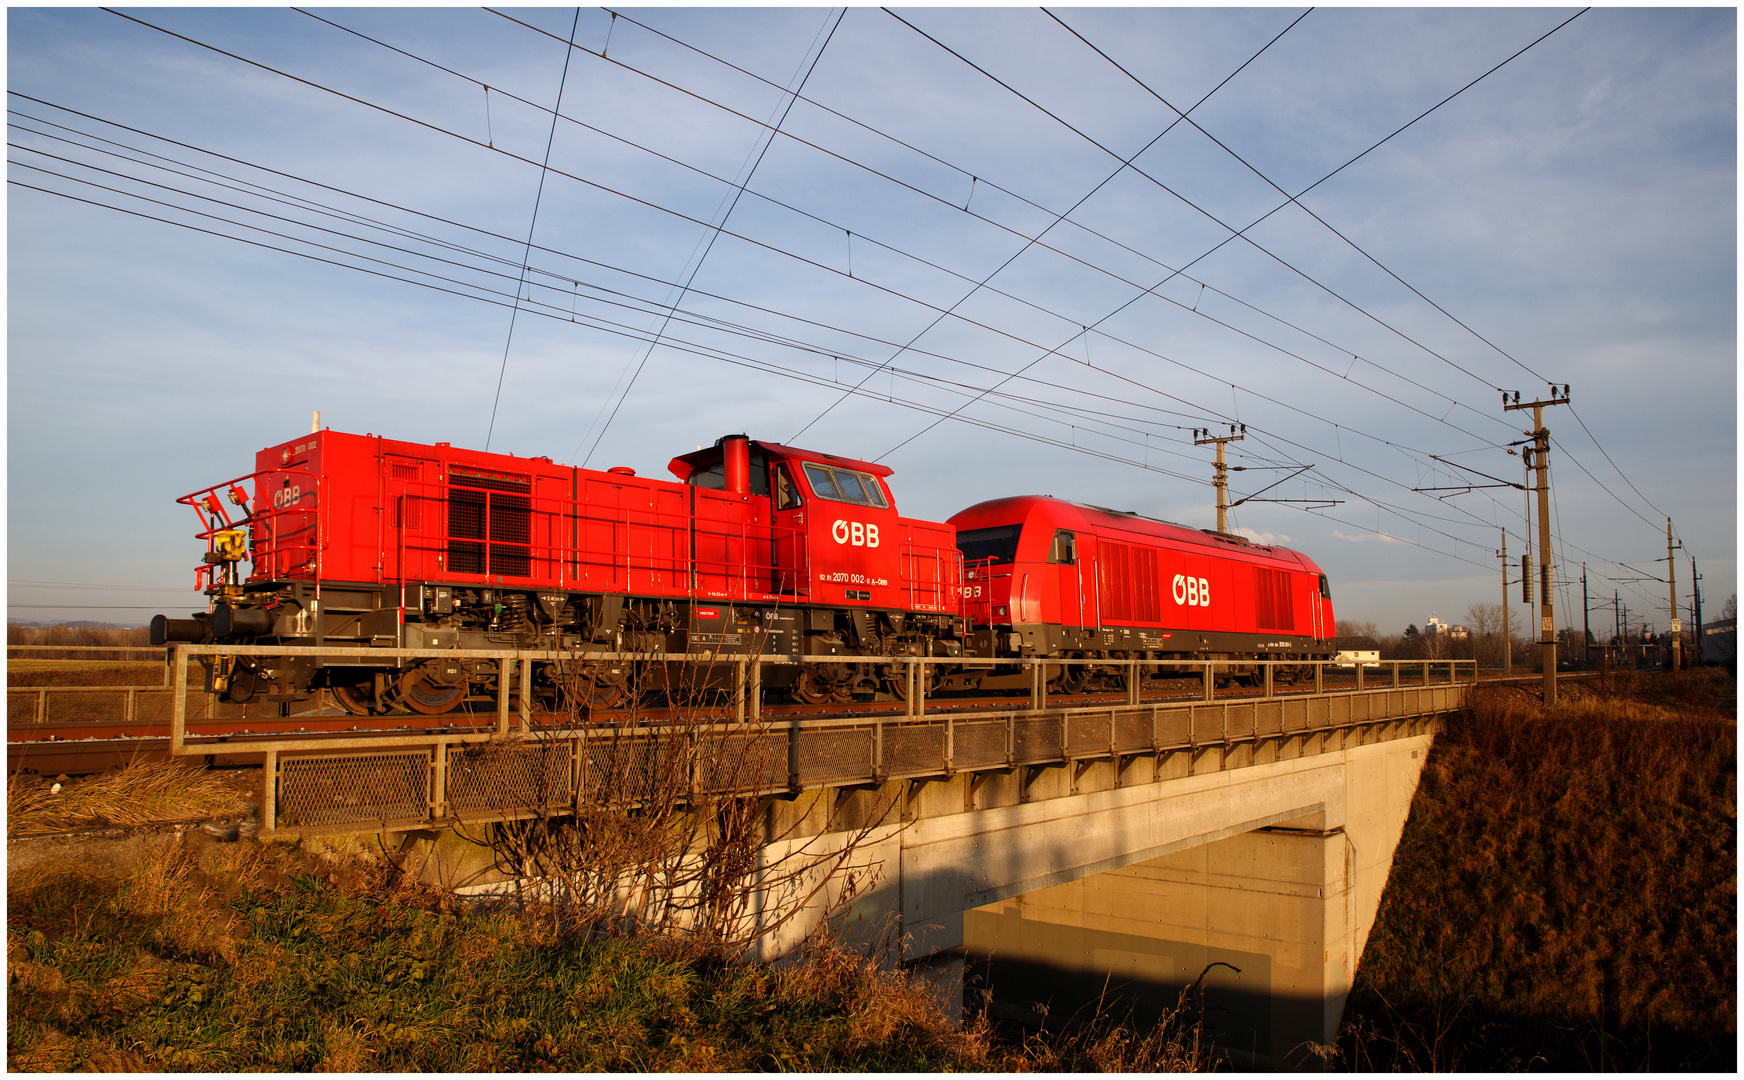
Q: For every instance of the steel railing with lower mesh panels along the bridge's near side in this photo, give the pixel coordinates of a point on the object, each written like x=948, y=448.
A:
x=796, y=753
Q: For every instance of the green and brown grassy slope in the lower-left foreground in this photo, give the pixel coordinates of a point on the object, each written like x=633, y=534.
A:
x=247, y=957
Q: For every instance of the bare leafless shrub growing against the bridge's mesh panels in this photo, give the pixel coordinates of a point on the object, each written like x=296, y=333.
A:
x=672, y=830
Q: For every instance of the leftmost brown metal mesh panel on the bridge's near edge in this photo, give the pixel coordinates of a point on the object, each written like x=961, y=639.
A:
x=353, y=788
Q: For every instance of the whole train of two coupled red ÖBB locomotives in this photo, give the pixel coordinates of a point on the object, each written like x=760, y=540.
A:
x=758, y=550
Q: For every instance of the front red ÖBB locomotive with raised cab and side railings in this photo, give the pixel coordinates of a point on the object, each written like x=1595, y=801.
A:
x=369, y=542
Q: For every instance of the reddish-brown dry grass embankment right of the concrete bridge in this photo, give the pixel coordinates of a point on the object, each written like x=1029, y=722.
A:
x=1565, y=894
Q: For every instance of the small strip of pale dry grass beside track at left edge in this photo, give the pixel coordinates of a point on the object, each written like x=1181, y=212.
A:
x=144, y=793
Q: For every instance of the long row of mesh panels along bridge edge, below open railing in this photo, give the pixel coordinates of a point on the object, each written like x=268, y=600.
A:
x=435, y=783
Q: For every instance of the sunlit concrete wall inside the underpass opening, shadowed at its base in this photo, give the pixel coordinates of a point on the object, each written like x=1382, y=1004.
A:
x=1271, y=913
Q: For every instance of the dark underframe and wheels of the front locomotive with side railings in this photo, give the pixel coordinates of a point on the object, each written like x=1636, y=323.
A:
x=472, y=617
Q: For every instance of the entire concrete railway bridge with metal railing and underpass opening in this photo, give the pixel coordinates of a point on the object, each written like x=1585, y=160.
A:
x=1047, y=847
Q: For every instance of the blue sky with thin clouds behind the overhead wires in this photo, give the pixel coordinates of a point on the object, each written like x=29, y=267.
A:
x=978, y=245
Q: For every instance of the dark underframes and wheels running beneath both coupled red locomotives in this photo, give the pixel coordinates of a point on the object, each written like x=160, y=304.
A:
x=472, y=617
